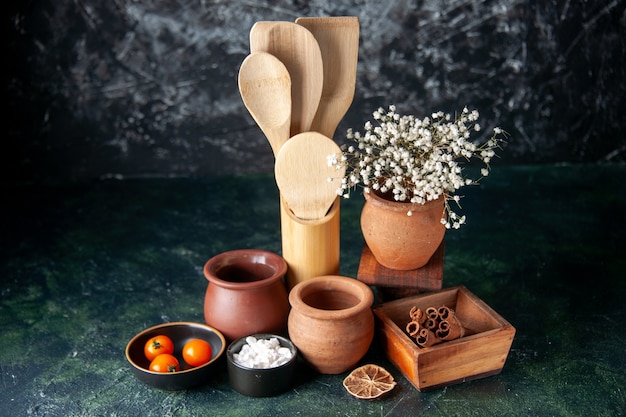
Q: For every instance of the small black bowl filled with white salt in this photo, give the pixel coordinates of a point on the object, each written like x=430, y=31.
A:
x=266, y=382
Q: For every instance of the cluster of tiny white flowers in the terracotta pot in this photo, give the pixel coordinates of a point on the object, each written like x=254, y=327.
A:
x=415, y=160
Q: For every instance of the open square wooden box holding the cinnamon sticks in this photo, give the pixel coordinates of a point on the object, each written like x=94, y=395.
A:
x=481, y=352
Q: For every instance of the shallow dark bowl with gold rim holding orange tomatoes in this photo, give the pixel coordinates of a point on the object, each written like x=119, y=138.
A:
x=180, y=333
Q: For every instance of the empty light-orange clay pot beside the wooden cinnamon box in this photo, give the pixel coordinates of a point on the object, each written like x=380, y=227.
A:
x=331, y=322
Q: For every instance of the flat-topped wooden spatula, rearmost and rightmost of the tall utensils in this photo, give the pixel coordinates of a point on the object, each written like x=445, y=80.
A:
x=338, y=38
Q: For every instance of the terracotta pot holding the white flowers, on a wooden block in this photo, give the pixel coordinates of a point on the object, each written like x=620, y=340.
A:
x=399, y=241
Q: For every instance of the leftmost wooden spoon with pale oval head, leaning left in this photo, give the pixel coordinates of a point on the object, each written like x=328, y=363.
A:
x=265, y=87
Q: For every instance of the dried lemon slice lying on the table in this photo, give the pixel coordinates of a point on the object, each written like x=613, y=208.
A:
x=368, y=382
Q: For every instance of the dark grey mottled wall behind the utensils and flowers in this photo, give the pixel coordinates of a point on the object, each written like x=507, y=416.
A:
x=126, y=88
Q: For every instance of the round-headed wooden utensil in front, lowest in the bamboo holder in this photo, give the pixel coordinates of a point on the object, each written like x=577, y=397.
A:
x=302, y=174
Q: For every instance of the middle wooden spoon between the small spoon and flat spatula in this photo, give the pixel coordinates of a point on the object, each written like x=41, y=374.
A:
x=295, y=47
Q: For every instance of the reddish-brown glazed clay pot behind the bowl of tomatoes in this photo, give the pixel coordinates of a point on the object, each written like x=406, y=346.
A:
x=246, y=293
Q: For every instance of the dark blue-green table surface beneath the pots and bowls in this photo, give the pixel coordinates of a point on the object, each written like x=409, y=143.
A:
x=83, y=267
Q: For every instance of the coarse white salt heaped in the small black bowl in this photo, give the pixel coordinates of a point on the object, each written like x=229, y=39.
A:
x=262, y=353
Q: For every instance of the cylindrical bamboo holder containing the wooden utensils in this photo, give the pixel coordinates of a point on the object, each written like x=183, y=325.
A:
x=310, y=247
